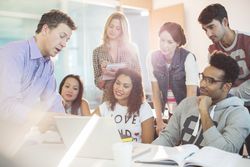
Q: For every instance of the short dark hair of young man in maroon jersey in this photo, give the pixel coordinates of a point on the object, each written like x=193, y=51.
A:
x=214, y=11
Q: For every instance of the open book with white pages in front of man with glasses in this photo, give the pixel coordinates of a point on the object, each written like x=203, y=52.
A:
x=189, y=155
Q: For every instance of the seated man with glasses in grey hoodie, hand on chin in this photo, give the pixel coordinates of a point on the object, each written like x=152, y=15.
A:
x=215, y=118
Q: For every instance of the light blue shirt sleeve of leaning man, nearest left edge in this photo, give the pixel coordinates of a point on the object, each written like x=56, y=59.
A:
x=12, y=64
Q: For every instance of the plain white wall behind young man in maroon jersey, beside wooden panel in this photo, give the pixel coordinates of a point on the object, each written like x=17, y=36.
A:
x=197, y=41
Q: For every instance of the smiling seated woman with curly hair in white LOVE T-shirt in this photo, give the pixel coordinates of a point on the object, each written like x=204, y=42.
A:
x=132, y=114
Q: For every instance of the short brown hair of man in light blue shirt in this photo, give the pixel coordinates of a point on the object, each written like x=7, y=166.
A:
x=53, y=18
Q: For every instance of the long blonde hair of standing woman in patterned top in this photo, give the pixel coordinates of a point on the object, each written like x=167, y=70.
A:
x=125, y=35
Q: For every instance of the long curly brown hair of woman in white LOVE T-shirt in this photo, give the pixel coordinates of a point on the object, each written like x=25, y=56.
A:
x=136, y=96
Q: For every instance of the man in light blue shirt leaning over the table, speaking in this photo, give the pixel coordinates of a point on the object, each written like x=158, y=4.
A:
x=27, y=82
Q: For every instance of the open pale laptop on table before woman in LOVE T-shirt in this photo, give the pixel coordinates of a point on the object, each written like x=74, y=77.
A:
x=96, y=135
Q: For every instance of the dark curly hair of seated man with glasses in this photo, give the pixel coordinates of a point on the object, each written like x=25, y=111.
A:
x=227, y=64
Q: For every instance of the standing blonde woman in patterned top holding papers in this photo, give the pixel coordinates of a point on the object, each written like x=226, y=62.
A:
x=116, y=48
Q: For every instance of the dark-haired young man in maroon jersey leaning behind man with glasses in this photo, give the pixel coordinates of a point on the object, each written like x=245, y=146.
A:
x=214, y=21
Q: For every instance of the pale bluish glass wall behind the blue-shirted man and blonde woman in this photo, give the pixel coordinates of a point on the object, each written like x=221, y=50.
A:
x=19, y=21
